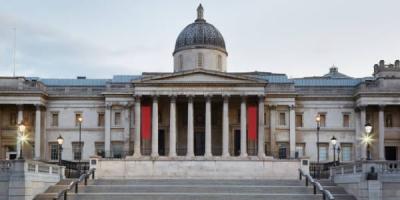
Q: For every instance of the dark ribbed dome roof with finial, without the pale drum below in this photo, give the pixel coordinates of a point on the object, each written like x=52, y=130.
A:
x=200, y=34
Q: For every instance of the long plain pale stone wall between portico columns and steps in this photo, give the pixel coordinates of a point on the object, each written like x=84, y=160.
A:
x=210, y=169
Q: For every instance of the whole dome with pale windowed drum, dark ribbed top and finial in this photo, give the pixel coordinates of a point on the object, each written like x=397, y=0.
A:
x=200, y=45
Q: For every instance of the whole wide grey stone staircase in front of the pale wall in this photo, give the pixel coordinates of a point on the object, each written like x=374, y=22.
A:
x=195, y=189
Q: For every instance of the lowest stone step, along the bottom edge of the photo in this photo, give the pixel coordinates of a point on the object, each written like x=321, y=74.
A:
x=193, y=196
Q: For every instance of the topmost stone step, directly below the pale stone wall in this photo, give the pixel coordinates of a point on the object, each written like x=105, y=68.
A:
x=195, y=182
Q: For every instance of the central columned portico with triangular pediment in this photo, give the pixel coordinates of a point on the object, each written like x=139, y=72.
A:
x=200, y=121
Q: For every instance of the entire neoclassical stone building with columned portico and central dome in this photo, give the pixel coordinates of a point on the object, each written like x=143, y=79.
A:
x=202, y=111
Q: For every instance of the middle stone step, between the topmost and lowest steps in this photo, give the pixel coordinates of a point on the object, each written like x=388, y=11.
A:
x=204, y=189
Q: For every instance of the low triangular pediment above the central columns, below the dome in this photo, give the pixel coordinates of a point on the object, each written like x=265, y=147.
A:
x=199, y=76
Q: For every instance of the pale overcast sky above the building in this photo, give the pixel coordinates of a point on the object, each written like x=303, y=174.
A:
x=98, y=39
